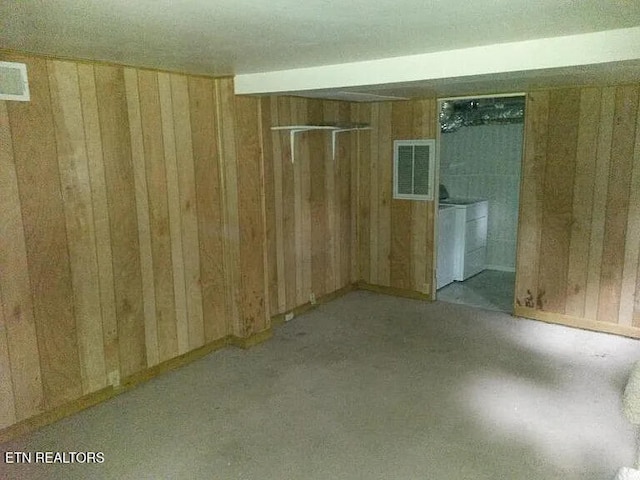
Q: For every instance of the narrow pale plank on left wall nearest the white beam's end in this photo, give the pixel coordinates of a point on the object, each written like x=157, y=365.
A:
x=228, y=158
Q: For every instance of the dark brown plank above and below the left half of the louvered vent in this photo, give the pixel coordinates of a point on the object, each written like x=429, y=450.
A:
x=400, y=210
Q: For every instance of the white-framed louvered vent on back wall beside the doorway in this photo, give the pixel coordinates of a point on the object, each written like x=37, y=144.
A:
x=413, y=167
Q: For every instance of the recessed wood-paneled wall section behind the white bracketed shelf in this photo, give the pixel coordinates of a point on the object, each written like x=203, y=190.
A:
x=311, y=238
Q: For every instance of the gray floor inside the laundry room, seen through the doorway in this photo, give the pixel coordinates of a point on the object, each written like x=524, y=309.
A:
x=490, y=289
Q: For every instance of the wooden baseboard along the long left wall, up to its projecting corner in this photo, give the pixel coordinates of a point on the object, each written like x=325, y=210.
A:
x=40, y=420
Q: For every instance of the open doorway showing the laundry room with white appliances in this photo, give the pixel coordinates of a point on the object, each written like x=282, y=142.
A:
x=481, y=143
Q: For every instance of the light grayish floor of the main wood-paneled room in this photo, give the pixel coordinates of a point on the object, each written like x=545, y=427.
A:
x=369, y=387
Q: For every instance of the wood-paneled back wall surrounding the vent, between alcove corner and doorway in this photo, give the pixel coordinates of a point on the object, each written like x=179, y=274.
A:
x=395, y=237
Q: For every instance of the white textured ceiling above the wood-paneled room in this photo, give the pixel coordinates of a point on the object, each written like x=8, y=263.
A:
x=231, y=37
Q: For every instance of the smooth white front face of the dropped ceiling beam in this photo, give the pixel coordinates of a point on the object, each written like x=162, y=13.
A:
x=548, y=53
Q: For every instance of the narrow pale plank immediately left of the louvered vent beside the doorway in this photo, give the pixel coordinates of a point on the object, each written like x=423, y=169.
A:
x=385, y=179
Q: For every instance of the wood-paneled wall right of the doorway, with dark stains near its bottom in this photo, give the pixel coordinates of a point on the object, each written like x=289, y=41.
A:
x=579, y=231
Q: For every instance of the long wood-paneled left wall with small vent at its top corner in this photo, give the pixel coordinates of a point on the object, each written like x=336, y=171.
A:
x=131, y=227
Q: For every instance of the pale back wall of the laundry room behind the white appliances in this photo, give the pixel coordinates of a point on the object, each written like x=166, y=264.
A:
x=484, y=162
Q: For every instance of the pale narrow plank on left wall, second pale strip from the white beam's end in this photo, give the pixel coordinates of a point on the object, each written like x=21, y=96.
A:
x=188, y=209
